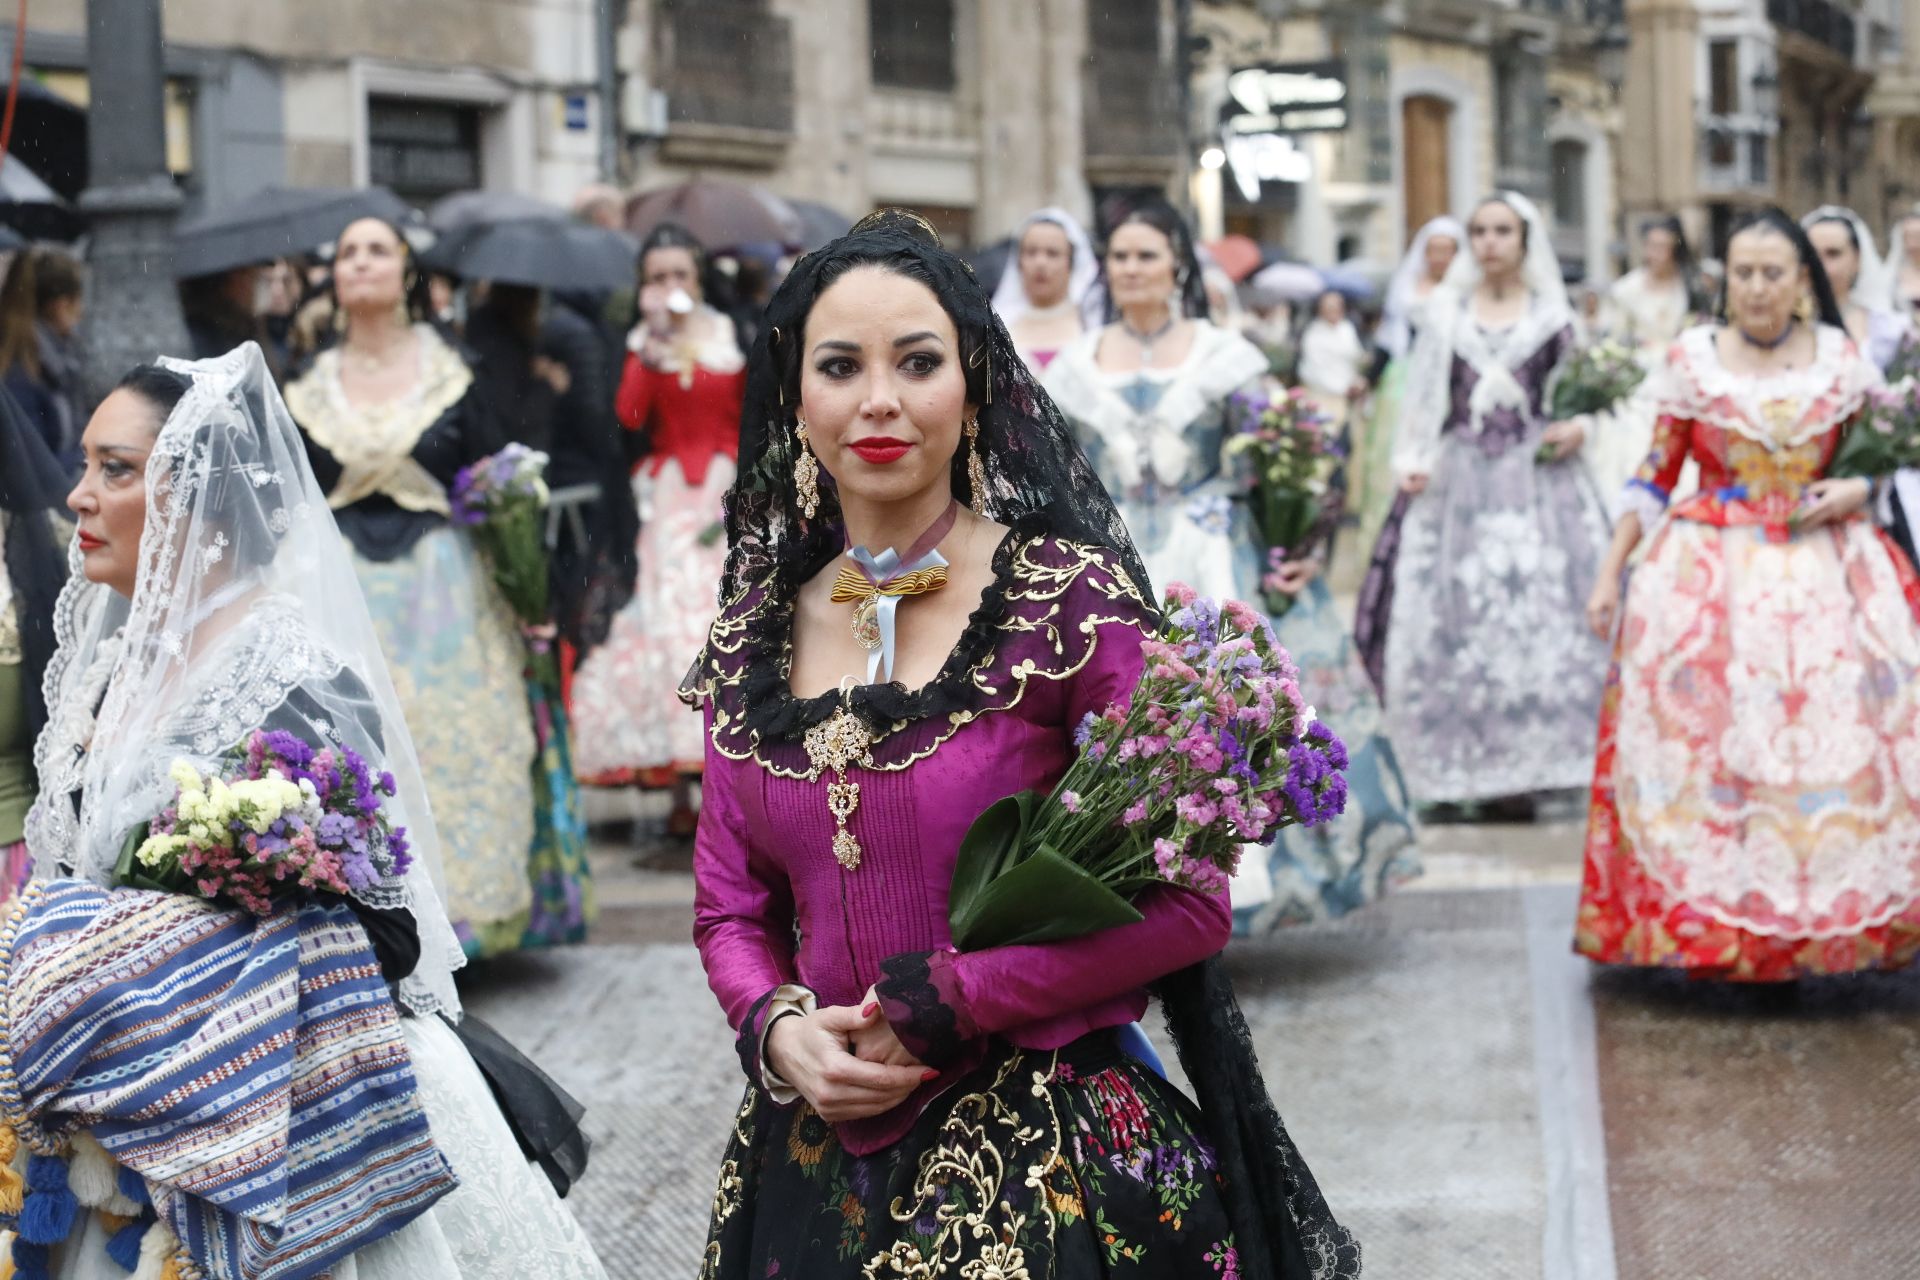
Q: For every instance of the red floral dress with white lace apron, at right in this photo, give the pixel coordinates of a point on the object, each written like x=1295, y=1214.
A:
x=1758, y=788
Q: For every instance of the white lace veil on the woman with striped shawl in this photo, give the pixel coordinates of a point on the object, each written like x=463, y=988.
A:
x=247, y=613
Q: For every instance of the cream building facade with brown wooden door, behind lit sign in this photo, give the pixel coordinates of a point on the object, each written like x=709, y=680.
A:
x=1447, y=101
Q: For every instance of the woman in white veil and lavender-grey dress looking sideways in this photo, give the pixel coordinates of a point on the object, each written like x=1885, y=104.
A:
x=1472, y=617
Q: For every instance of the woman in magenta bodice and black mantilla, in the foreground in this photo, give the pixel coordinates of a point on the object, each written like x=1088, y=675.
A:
x=917, y=1112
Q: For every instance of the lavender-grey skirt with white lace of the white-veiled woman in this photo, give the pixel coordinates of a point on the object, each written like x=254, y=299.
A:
x=1477, y=611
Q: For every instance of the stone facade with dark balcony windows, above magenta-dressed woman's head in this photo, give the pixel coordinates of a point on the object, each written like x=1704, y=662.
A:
x=972, y=112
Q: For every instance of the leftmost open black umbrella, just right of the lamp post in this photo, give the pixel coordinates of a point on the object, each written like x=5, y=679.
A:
x=276, y=224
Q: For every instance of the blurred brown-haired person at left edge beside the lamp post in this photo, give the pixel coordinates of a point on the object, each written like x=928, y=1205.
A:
x=41, y=360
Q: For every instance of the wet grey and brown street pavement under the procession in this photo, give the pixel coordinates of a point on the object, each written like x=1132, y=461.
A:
x=1476, y=1102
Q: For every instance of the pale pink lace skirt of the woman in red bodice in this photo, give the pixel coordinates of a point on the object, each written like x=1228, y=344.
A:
x=629, y=719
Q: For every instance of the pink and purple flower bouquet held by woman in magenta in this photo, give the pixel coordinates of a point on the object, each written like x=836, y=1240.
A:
x=1216, y=749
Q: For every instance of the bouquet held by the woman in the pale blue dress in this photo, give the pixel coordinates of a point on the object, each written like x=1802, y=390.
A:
x=1293, y=450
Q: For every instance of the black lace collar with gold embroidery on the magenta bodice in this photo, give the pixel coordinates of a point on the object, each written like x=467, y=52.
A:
x=750, y=650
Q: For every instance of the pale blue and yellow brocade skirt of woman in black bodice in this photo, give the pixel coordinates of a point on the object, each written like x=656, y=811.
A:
x=456, y=659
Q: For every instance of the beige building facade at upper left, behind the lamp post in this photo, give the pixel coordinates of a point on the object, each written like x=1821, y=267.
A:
x=420, y=95
